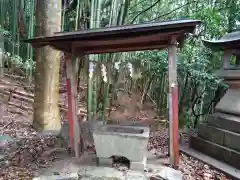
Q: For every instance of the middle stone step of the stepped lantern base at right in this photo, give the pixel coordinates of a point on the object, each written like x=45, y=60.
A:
x=219, y=136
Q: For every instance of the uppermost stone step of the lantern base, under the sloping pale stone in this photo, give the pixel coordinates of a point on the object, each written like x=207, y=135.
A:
x=225, y=121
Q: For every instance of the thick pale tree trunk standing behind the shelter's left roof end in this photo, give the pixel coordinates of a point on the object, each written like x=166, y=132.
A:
x=46, y=110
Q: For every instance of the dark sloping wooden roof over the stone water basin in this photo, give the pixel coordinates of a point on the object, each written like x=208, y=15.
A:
x=147, y=36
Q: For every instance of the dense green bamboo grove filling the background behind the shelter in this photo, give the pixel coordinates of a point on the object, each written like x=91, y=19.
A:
x=144, y=72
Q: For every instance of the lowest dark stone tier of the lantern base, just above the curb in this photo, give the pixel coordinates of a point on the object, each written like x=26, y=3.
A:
x=214, y=150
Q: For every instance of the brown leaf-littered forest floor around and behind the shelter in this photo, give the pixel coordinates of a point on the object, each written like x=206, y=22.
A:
x=31, y=152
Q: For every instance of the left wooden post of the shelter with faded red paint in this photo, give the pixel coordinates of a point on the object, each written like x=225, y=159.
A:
x=74, y=129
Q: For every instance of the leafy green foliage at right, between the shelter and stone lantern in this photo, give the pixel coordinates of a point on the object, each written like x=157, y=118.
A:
x=196, y=64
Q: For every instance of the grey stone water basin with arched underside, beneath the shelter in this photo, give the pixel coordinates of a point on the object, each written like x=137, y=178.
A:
x=126, y=141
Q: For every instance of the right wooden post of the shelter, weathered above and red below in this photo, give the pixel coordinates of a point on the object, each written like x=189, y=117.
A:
x=173, y=104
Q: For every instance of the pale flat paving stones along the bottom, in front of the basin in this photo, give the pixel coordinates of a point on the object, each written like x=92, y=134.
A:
x=106, y=173
